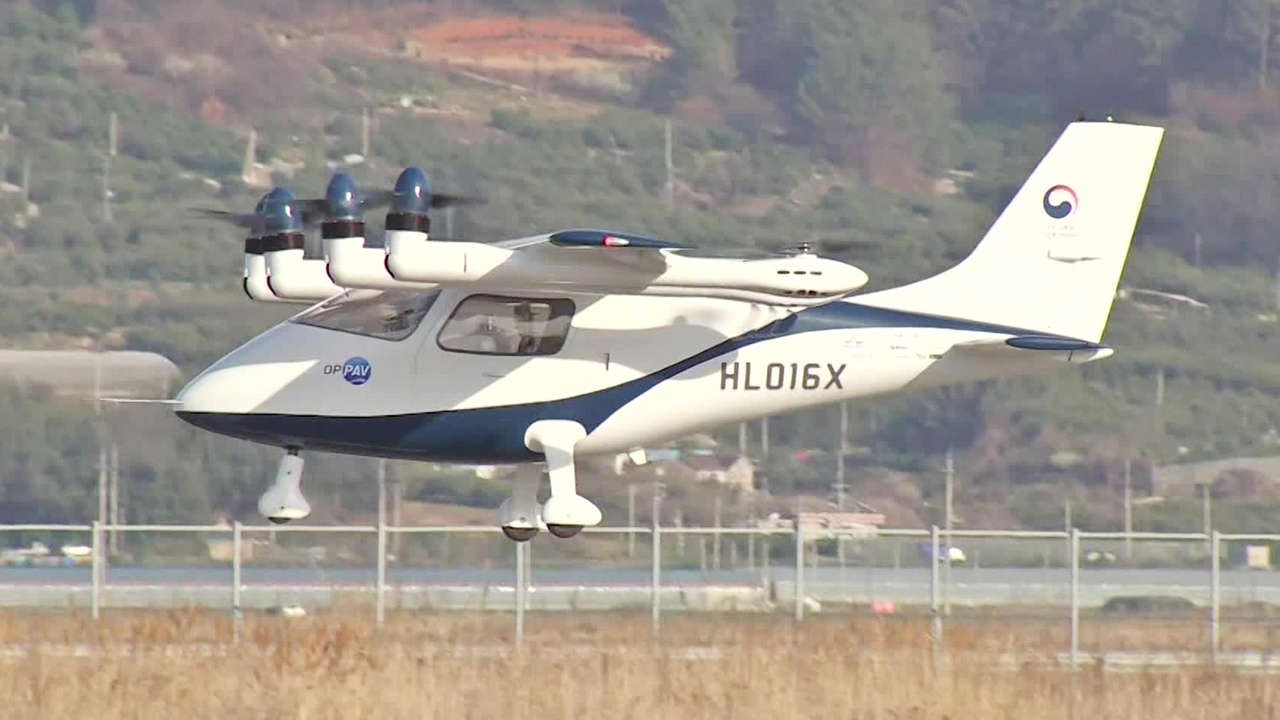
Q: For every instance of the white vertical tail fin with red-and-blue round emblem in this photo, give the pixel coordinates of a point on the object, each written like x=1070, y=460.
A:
x=1053, y=259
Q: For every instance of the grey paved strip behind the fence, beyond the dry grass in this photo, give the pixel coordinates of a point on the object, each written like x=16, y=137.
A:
x=618, y=589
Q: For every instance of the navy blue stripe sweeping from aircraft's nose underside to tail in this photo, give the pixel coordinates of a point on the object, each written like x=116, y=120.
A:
x=496, y=435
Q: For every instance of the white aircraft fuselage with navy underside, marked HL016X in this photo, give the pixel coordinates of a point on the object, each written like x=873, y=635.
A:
x=632, y=370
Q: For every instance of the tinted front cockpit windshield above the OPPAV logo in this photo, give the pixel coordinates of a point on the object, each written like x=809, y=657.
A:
x=387, y=315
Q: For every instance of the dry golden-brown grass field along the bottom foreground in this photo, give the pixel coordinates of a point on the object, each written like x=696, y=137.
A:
x=184, y=666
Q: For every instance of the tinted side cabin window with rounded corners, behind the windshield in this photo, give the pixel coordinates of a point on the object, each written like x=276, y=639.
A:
x=493, y=325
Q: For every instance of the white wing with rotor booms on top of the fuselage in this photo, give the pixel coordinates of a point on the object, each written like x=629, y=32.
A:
x=587, y=262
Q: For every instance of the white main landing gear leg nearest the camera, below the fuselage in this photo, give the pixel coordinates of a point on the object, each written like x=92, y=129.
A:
x=565, y=513
